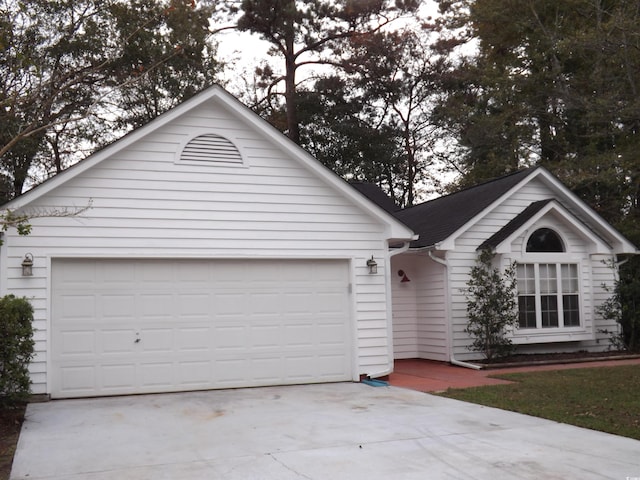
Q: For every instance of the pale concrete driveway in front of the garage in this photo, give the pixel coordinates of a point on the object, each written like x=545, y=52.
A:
x=330, y=431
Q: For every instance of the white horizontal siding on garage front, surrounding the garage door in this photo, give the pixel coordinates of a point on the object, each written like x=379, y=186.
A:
x=144, y=205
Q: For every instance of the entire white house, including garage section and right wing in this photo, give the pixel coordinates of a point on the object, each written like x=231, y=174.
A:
x=215, y=253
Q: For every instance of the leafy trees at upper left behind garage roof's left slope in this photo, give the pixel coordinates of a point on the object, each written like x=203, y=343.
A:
x=74, y=71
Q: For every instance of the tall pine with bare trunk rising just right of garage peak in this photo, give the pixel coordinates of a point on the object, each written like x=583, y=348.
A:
x=312, y=32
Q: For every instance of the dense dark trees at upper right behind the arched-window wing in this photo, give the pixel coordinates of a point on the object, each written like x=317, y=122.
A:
x=552, y=83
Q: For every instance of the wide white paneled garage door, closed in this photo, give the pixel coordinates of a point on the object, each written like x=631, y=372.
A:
x=142, y=326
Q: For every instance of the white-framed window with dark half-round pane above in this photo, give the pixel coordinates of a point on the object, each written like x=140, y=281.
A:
x=548, y=292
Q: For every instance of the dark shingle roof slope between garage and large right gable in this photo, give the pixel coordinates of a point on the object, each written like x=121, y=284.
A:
x=437, y=219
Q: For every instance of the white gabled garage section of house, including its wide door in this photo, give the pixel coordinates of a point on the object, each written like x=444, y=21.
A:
x=215, y=253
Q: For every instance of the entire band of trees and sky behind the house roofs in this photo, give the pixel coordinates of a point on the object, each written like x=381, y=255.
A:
x=375, y=90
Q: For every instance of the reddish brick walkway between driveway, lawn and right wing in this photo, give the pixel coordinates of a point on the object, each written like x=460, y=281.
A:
x=432, y=376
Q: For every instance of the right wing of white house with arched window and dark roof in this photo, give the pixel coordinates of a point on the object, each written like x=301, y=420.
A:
x=564, y=253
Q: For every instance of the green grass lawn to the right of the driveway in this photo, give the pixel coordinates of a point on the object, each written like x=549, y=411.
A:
x=605, y=399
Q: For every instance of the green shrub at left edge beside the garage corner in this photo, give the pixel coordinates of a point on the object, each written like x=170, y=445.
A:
x=16, y=348
